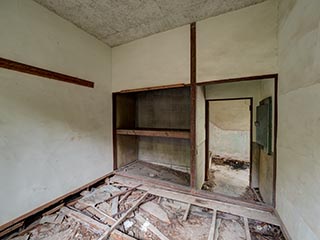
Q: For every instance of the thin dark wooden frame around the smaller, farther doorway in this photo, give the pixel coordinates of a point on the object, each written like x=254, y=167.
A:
x=207, y=127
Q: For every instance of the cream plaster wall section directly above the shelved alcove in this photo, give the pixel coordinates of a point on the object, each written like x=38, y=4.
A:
x=160, y=59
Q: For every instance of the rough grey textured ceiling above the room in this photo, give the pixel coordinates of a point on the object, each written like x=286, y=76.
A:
x=116, y=22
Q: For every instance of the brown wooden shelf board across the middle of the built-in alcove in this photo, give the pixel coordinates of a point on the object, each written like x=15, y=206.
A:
x=183, y=134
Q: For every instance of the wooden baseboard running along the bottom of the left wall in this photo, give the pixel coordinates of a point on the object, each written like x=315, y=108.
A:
x=31, y=216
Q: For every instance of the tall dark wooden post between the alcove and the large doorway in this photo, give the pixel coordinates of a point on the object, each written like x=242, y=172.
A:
x=193, y=94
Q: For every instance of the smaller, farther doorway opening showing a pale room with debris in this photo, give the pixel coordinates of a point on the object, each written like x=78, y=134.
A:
x=229, y=135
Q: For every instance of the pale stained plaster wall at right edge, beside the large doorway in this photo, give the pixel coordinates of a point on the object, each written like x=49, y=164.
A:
x=298, y=179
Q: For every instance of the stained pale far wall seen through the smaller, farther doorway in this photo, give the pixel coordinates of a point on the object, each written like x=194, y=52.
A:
x=229, y=129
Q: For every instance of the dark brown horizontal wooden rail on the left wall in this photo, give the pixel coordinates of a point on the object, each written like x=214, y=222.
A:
x=24, y=68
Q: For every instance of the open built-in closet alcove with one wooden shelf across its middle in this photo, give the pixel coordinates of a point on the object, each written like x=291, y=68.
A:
x=153, y=127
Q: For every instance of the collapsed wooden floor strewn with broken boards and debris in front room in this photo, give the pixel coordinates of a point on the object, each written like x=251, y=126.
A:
x=122, y=208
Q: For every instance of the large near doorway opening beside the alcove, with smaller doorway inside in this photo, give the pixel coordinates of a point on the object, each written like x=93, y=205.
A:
x=238, y=159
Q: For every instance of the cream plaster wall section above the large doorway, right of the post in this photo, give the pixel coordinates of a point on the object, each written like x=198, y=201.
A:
x=237, y=44
